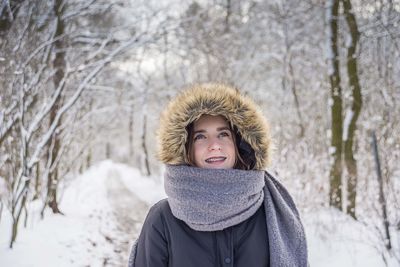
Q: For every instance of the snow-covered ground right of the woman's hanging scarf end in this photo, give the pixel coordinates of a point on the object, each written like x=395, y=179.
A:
x=334, y=239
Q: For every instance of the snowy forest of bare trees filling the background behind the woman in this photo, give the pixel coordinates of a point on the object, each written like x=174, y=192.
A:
x=84, y=81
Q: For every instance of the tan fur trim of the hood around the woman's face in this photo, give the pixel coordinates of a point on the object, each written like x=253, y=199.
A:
x=212, y=99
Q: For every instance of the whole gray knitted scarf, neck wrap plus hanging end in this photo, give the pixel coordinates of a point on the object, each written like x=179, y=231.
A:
x=214, y=199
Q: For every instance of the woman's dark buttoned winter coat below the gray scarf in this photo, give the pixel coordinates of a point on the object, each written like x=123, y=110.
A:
x=167, y=241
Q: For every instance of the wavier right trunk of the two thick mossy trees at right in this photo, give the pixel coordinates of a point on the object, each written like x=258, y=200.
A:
x=352, y=72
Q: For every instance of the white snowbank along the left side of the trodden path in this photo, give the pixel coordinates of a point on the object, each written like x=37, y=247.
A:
x=76, y=239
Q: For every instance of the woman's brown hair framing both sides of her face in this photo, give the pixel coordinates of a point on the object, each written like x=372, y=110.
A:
x=189, y=155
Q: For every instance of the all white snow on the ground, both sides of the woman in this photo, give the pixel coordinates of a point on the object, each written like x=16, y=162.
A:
x=82, y=237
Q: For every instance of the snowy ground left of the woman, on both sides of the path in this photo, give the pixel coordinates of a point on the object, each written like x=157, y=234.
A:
x=89, y=234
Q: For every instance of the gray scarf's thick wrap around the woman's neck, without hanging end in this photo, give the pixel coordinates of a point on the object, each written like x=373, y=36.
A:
x=213, y=199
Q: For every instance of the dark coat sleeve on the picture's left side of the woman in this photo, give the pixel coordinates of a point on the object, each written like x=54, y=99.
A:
x=151, y=248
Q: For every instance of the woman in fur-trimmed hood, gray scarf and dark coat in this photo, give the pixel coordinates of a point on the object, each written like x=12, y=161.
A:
x=223, y=208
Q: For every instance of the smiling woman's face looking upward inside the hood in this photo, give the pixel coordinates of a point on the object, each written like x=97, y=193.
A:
x=213, y=146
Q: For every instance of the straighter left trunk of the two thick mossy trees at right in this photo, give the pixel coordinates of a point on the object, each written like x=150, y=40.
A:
x=335, y=193
